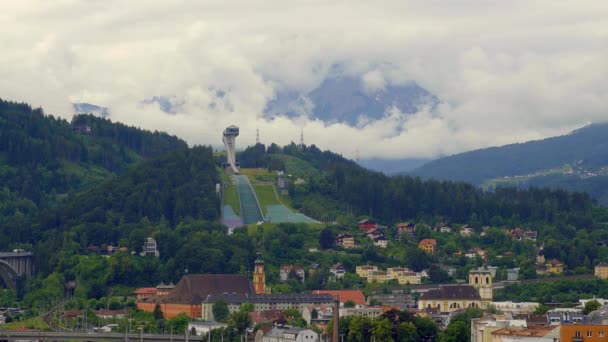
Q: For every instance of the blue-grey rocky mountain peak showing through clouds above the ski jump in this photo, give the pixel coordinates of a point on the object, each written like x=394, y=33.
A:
x=345, y=99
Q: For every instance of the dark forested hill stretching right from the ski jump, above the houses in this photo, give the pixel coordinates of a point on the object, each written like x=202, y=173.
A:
x=331, y=184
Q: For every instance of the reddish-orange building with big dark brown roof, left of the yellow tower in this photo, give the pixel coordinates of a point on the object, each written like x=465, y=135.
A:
x=192, y=289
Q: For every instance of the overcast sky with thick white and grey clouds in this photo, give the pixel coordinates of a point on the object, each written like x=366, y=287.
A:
x=505, y=71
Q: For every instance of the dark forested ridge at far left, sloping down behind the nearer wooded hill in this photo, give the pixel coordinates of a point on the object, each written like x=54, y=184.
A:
x=43, y=158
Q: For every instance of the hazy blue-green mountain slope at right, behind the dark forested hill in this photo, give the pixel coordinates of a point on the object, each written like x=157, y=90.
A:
x=577, y=161
